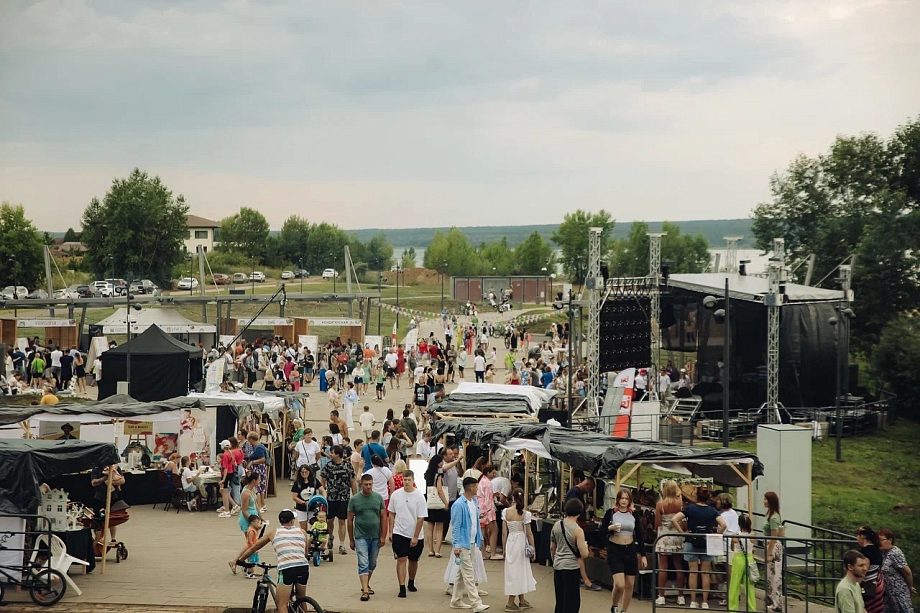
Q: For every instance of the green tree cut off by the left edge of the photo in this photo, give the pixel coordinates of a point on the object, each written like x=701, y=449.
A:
x=21, y=248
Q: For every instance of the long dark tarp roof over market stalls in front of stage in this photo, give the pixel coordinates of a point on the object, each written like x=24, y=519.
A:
x=602, y=455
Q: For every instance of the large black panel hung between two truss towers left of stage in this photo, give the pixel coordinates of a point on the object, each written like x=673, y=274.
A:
x=625, y=333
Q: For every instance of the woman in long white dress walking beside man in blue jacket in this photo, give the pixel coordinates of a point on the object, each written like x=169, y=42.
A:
x=516, y=535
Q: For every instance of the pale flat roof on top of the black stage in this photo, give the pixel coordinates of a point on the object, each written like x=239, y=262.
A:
x=749, y=288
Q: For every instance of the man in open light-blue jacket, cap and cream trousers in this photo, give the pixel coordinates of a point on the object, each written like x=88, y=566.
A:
x=466, y=534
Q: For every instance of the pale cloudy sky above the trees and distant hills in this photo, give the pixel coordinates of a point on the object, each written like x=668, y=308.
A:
x=413, y=114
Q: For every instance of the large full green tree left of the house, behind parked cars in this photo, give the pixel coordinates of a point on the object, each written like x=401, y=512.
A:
x=137, y=230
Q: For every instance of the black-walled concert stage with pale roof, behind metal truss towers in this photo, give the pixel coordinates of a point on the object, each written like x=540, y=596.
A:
x=807, y=355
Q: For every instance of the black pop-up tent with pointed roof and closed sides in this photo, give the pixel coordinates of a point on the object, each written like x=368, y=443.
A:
x=161, y=366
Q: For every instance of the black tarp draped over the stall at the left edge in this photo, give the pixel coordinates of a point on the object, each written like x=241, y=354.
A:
x=26, y=464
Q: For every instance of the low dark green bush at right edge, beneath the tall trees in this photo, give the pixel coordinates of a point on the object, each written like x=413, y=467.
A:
x=895, y=360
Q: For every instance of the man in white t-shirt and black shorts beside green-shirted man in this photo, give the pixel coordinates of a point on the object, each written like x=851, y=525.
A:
x=408, y=511
